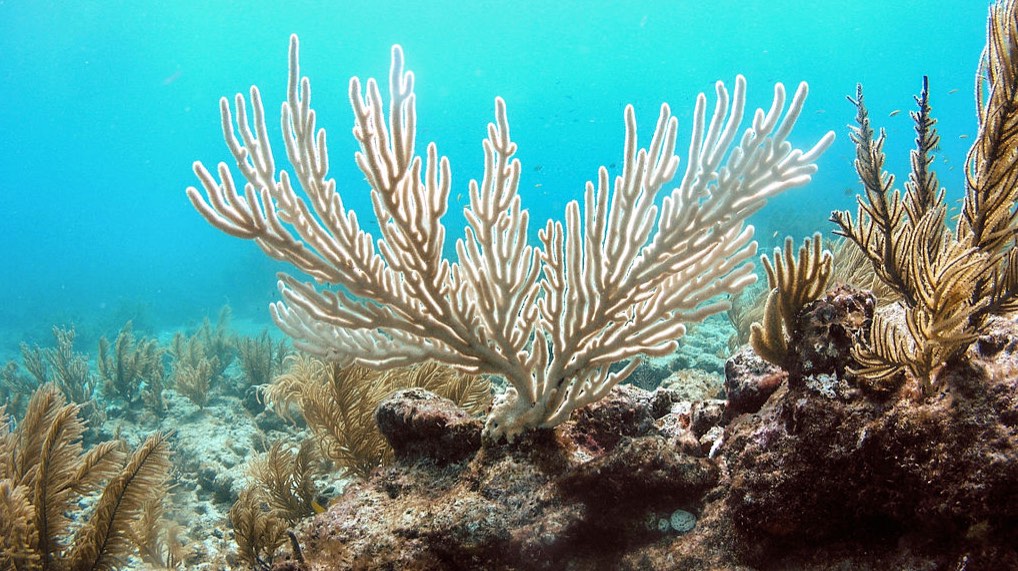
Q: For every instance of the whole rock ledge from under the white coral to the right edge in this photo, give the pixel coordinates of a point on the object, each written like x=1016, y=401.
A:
x=825, y=475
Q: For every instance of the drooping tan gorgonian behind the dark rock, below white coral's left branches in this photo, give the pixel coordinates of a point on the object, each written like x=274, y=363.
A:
x=338, y=404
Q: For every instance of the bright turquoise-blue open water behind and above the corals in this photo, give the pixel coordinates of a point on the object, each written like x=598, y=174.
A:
x=104, y=106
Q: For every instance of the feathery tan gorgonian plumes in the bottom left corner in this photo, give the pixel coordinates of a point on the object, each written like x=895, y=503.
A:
x=45, y=474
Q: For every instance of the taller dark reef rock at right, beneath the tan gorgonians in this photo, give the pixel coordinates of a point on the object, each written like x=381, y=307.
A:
x=827, y=474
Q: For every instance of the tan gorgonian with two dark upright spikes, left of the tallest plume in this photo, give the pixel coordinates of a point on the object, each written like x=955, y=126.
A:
x=913, y=252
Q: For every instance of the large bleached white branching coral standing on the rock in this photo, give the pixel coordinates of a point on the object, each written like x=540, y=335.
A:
x=620, y=278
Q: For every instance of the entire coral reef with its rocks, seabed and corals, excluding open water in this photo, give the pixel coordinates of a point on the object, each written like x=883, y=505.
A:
x=516, y=406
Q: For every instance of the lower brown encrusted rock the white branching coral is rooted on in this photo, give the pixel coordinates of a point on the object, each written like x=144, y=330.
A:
x=588, y=495
